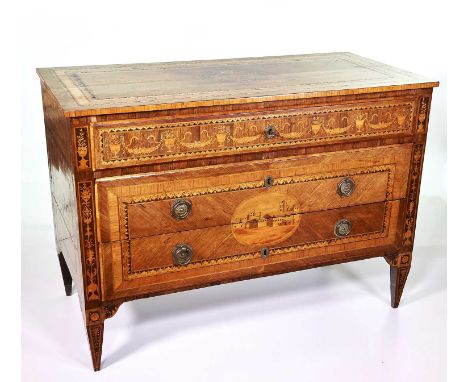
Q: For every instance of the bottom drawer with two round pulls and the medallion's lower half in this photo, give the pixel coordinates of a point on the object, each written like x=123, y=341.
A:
x=223, y=253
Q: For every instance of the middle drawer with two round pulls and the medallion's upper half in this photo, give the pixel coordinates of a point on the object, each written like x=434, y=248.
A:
x=140, y=206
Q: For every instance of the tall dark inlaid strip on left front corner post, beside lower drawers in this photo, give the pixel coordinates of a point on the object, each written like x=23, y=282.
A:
x=86, y=203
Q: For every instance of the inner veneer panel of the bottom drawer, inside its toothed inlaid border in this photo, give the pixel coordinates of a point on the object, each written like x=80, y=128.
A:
x=154, y=254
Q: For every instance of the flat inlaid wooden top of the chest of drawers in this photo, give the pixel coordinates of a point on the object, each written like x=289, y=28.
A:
x=92, y=90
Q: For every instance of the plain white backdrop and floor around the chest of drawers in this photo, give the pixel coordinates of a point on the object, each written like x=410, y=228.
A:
x=326, y=324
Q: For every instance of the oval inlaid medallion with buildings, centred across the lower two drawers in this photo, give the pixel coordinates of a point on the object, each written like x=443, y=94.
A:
x=266, y=219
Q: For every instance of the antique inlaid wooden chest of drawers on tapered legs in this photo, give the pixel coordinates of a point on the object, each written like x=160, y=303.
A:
x=172, y=176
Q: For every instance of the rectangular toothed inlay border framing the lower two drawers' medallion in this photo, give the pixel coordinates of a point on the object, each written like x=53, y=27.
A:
x=125, y=242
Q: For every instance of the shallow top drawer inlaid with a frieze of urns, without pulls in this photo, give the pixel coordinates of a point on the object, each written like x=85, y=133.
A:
x=140, y=142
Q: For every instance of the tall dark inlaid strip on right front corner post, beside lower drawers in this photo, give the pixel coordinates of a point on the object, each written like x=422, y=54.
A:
x=412, y=200
